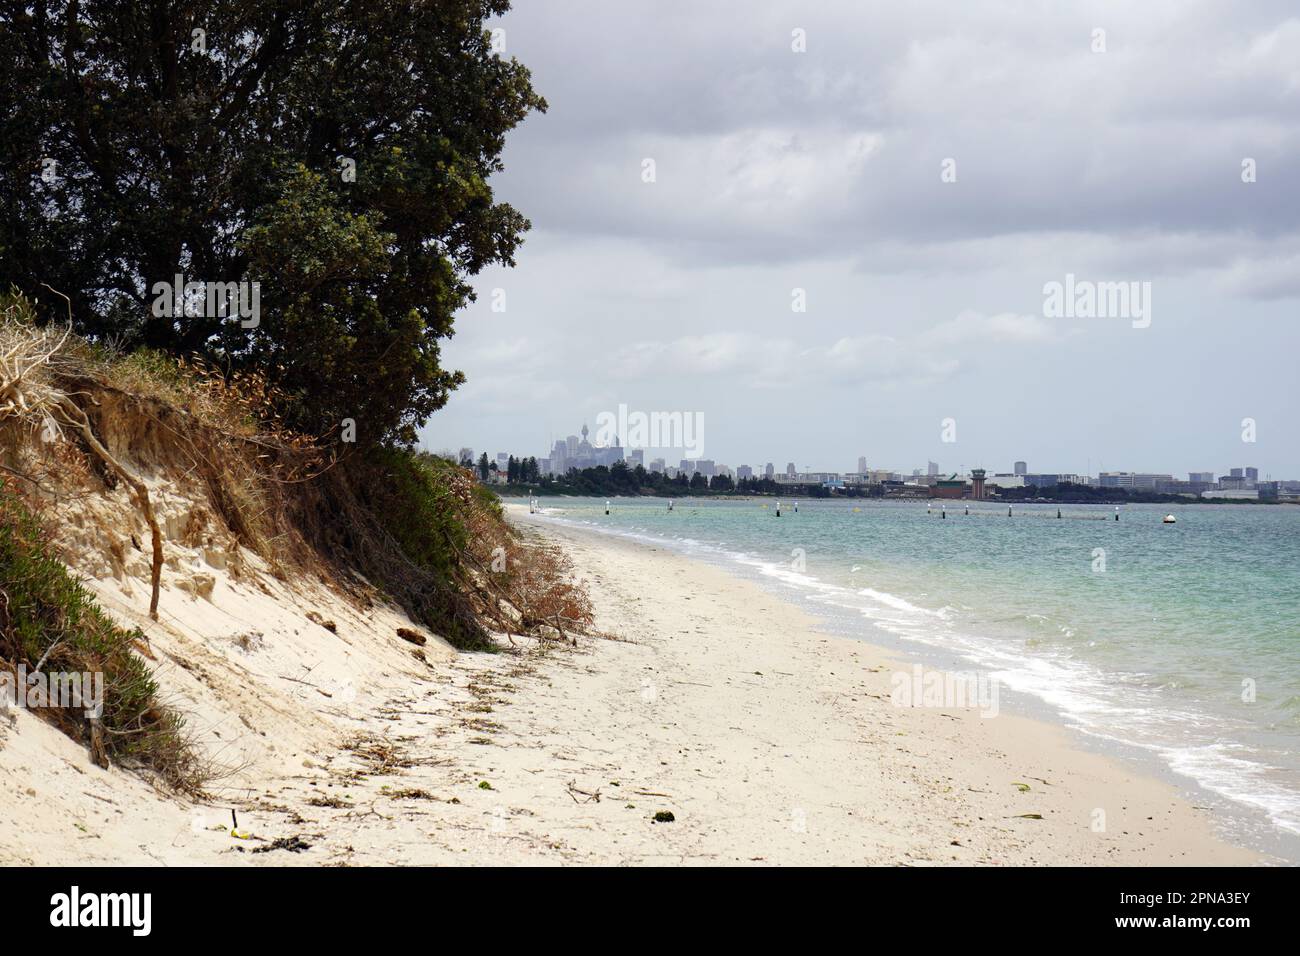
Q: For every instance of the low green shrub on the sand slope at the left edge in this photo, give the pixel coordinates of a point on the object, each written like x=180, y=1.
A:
x=47, y=616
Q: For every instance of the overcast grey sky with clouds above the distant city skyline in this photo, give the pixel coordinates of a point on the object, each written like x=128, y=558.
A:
x=925, y=300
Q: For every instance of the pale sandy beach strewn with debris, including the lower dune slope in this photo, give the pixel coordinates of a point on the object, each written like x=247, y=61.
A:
x=769, y=742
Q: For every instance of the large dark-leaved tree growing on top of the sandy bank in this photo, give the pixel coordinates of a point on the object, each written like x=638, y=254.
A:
x=239, y=141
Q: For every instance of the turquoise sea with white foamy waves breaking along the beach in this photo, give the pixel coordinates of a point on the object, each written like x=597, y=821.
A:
x=1147, y=634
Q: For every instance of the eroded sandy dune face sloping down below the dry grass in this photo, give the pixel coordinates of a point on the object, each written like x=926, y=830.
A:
x=266, y=665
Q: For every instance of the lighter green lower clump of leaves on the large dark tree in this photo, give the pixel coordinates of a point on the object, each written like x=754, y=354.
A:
x=340, y=351
